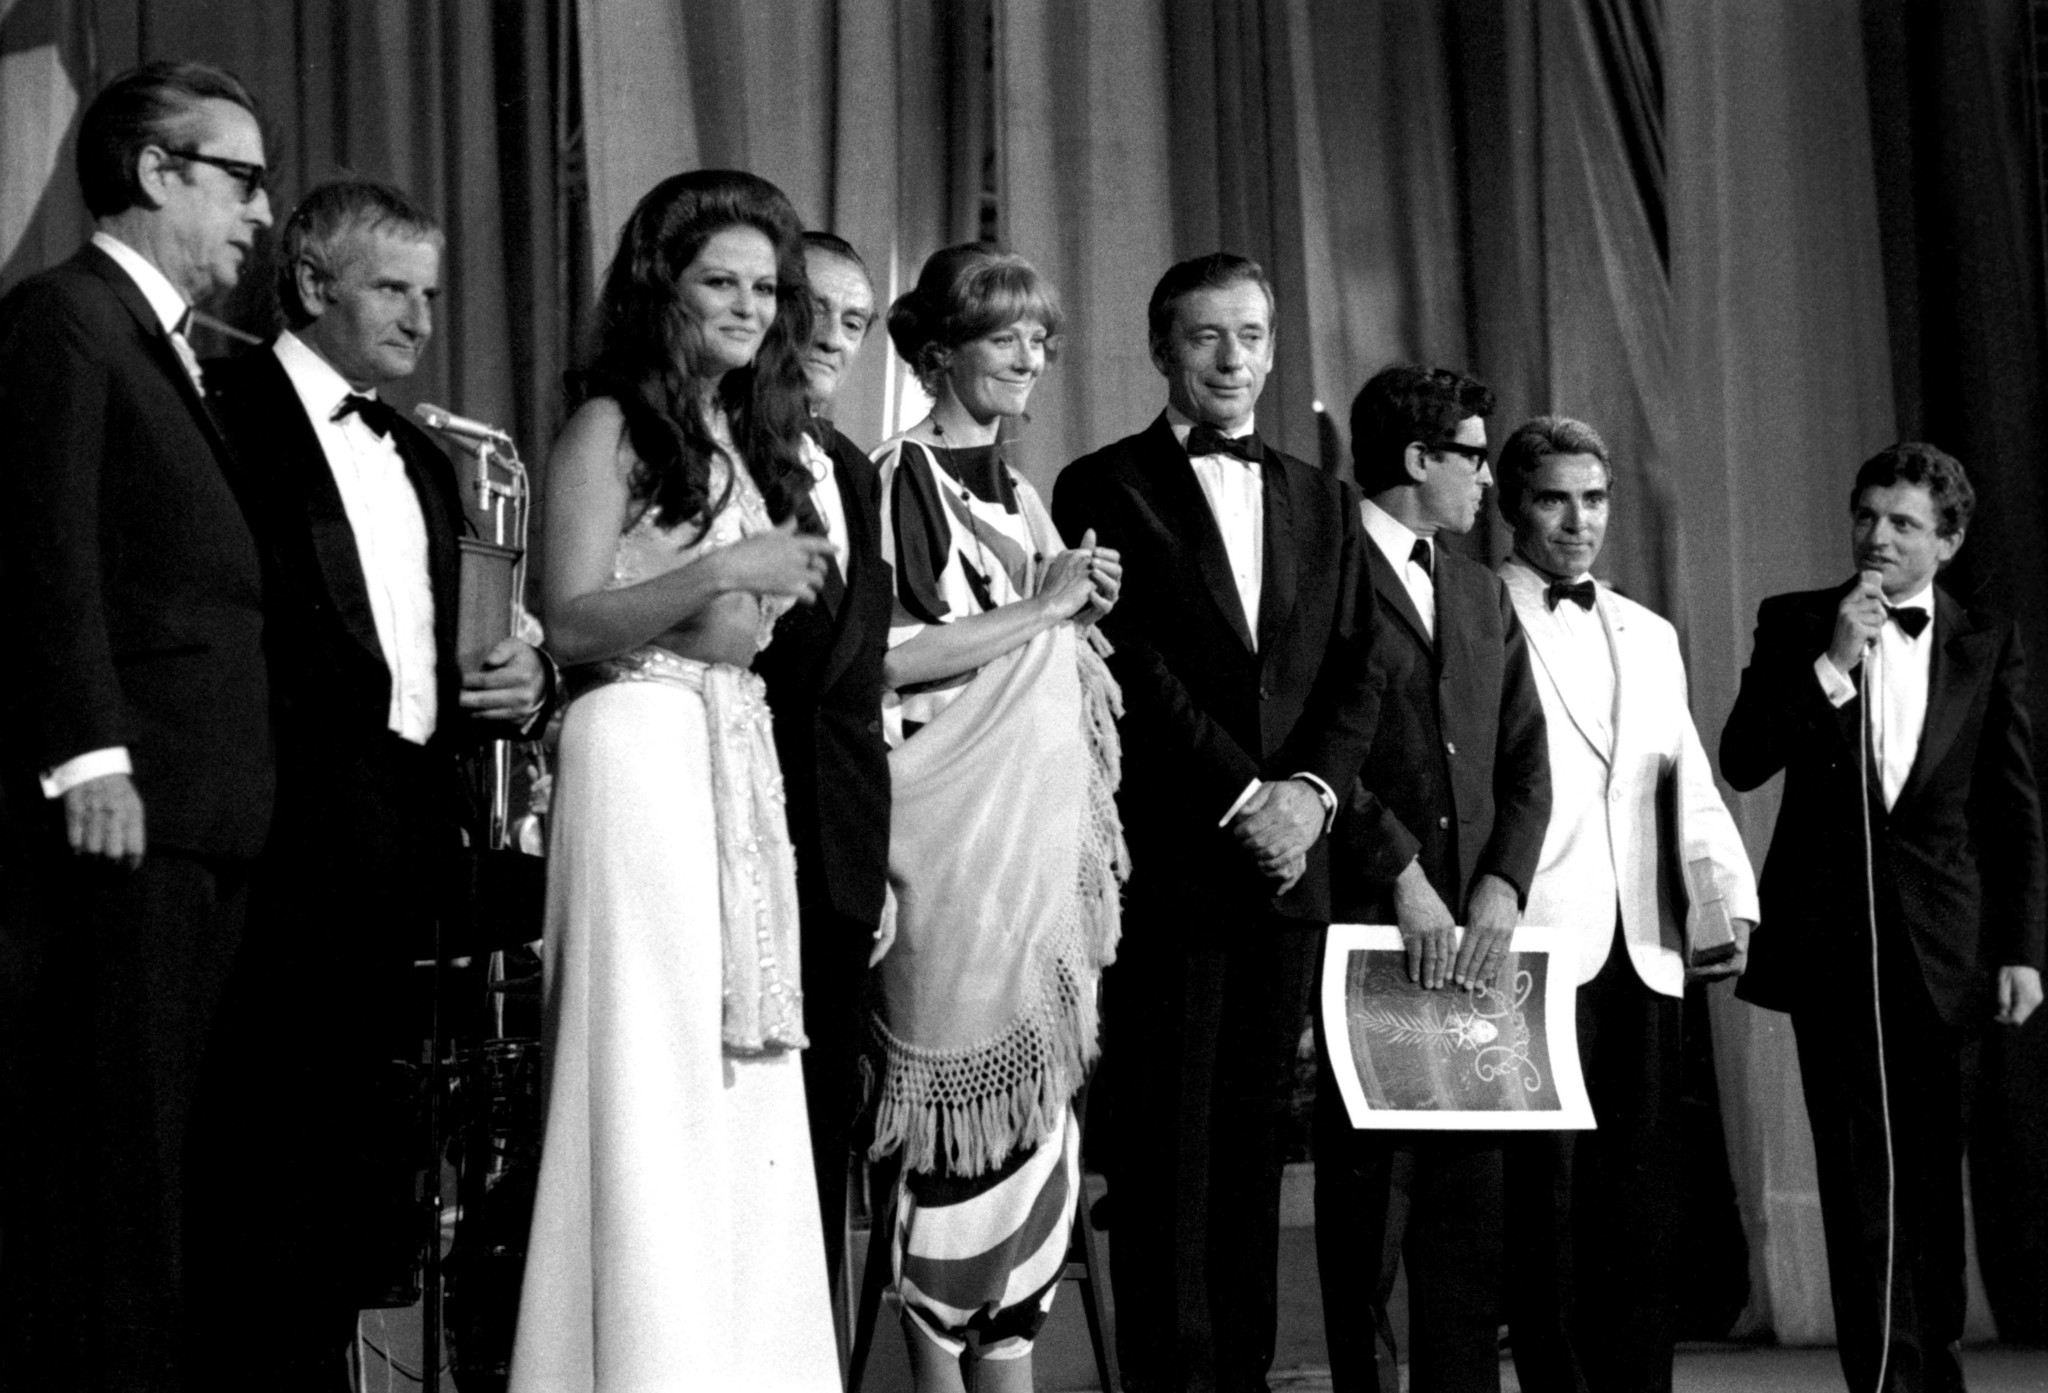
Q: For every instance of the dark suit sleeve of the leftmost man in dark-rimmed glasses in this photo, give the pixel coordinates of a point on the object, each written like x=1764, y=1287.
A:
x=52, y=417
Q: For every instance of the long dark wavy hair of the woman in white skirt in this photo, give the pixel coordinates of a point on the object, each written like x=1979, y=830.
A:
x=640, y=360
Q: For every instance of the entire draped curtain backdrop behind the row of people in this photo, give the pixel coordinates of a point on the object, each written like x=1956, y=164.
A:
x=1750, y=243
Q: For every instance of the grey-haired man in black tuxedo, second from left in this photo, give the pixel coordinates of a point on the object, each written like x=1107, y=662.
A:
x=359, y=515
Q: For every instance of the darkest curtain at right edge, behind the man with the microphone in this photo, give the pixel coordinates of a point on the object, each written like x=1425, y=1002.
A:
x=1961, y=208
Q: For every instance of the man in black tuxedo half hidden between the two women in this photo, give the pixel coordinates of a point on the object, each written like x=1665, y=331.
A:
x=824, y=679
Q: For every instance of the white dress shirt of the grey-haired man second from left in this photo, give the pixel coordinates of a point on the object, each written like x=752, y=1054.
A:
x=384, y=513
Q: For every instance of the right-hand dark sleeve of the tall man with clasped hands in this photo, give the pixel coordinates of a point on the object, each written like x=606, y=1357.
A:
x=1336, y=728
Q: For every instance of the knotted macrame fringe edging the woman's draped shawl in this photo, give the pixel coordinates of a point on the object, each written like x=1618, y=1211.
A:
x=970, y=1109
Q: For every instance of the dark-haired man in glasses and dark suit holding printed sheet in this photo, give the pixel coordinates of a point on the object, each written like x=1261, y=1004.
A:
x=1445, y=827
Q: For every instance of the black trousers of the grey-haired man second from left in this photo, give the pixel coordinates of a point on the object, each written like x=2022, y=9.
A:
x=318, y=1079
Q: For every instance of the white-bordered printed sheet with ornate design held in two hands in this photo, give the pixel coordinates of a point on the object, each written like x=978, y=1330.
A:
x=1453, y=1060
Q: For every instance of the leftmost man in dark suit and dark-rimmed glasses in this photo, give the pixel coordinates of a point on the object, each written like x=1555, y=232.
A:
x=136, y=759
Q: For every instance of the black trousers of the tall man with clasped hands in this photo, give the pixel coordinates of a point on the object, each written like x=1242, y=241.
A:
x=1203, y=1025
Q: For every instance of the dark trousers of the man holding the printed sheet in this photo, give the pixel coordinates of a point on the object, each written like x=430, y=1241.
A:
x=1433, y=1199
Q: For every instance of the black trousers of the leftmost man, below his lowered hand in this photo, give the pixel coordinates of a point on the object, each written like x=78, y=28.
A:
x=120, y=978
